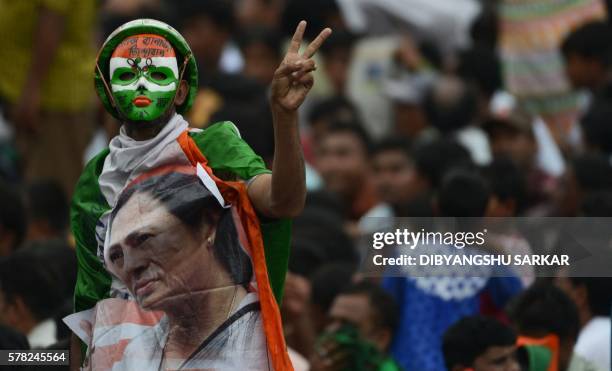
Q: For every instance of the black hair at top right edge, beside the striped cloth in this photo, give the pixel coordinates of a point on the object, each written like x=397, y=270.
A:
x=591, y=40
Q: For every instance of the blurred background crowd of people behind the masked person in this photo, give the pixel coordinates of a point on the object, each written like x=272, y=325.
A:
x=417, y=111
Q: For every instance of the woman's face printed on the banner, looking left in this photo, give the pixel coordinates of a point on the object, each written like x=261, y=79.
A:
x=156, y=256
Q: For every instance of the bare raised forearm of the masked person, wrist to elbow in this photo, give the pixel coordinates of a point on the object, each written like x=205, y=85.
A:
x=288, y=189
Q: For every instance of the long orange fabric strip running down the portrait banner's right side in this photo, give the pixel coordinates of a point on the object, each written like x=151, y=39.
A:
x=235, y=193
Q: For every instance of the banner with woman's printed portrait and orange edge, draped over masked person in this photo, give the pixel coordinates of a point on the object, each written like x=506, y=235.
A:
x=191, y=289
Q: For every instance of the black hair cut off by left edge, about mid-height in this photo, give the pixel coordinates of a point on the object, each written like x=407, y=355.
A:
x=12, y=213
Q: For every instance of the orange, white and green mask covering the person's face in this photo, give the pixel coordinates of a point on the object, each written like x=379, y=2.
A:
x=144, y=77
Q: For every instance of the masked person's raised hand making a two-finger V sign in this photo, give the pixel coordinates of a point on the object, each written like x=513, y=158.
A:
x=293, y=78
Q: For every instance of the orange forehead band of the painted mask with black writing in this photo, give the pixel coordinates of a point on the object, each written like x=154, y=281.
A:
x=144, y=46
